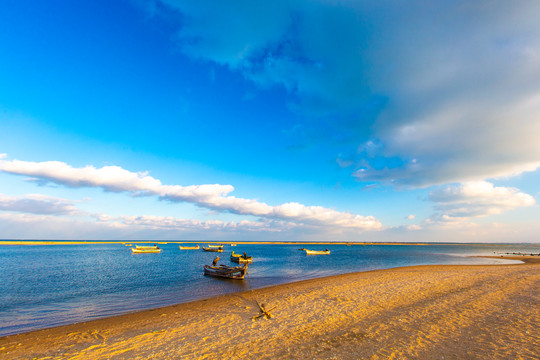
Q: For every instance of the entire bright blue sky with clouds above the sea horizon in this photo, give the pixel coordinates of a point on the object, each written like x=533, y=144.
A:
x=273, y=120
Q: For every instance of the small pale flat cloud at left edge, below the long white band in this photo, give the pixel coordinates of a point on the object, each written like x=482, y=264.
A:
x=37, y=204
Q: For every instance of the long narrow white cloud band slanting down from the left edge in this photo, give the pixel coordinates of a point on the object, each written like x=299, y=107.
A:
x=114, y=178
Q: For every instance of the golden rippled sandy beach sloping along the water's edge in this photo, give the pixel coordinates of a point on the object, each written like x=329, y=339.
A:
x=421, y=312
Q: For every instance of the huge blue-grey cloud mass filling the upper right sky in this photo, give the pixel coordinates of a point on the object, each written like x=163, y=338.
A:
x=450, y=90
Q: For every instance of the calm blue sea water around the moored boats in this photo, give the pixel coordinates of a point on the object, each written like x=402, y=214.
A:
x=45, y=286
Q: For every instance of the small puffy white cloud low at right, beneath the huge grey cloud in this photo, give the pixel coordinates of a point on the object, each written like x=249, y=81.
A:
x=476, y=199
